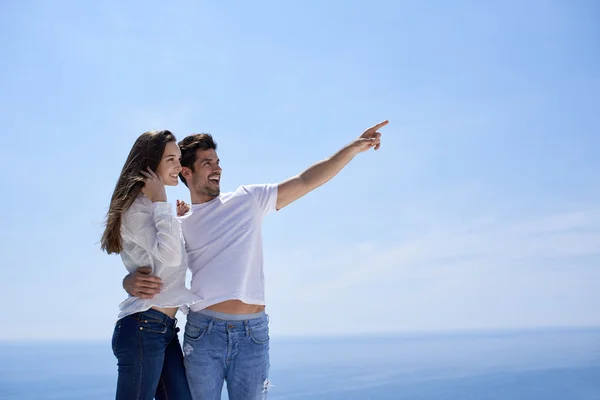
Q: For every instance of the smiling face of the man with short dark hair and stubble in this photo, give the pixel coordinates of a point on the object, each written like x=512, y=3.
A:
x=206, y=177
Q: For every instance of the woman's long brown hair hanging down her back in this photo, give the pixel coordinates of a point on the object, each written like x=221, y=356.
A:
x=147, y=151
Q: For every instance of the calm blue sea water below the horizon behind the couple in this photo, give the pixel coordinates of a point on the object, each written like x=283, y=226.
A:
x=540, y=365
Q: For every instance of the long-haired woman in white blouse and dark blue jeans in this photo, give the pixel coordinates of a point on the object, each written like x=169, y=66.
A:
x=141, y=227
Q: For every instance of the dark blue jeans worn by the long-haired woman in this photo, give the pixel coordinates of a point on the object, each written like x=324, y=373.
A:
x=149, y=358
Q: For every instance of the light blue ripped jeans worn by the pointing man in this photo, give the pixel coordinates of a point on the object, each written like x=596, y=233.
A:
x=228, y=348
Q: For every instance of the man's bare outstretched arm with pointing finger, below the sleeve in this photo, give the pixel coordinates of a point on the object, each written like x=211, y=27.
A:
x=321, y=172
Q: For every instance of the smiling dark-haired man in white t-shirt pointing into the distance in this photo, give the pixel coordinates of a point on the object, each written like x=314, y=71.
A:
x=227, y=336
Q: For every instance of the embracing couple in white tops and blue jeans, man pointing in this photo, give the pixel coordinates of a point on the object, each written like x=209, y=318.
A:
x=219, y=239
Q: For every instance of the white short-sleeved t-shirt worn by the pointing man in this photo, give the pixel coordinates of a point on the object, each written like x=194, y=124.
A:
x=223, y=240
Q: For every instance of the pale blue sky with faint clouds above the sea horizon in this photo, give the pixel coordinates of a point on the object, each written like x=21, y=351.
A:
x=480, y=211
